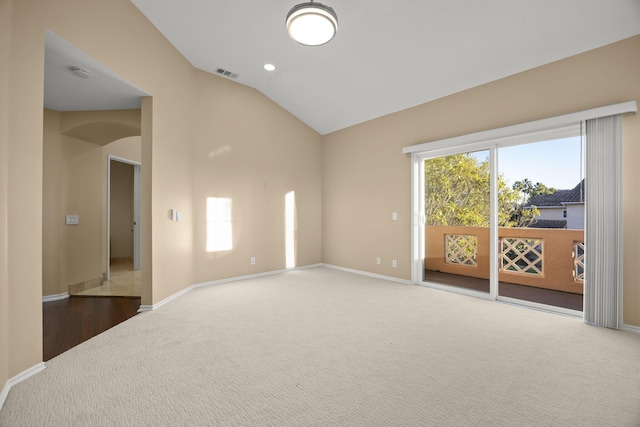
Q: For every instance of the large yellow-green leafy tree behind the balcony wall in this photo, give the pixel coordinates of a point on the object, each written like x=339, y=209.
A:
x=457, y=192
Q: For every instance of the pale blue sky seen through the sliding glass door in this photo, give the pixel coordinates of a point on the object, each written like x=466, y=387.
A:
x=554, y=163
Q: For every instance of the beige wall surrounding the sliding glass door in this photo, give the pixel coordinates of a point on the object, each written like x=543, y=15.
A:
x=366, y=176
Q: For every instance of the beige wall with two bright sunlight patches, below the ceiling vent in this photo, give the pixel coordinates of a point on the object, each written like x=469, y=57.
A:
x=251, y=150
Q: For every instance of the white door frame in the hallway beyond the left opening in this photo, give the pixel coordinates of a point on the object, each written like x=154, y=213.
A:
x=136, y=211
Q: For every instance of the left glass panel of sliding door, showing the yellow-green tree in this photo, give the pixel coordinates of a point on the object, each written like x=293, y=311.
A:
x=457, y=216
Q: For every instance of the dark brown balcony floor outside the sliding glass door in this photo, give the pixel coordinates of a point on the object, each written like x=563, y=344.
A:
x=511, y=290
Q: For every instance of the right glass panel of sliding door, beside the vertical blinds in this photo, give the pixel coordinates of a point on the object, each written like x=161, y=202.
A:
x=541, y=244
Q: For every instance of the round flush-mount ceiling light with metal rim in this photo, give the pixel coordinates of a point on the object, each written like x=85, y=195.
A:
x=312, y=24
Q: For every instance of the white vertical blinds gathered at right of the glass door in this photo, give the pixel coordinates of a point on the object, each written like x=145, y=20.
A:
x=603, y=217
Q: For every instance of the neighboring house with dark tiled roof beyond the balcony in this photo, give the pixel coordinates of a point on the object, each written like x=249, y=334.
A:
x=562, y=209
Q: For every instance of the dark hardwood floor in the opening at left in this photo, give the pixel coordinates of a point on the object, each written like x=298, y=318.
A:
x=71, y=321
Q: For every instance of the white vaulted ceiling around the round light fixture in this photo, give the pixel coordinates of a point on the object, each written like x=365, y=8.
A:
x=388, y=55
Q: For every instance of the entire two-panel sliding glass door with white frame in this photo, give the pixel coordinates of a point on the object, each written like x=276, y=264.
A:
x=504, y=220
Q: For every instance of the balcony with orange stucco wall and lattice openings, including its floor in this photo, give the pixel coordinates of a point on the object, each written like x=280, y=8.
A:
x=535, y=264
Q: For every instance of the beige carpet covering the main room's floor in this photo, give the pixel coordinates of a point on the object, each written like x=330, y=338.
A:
x=323, y=347
